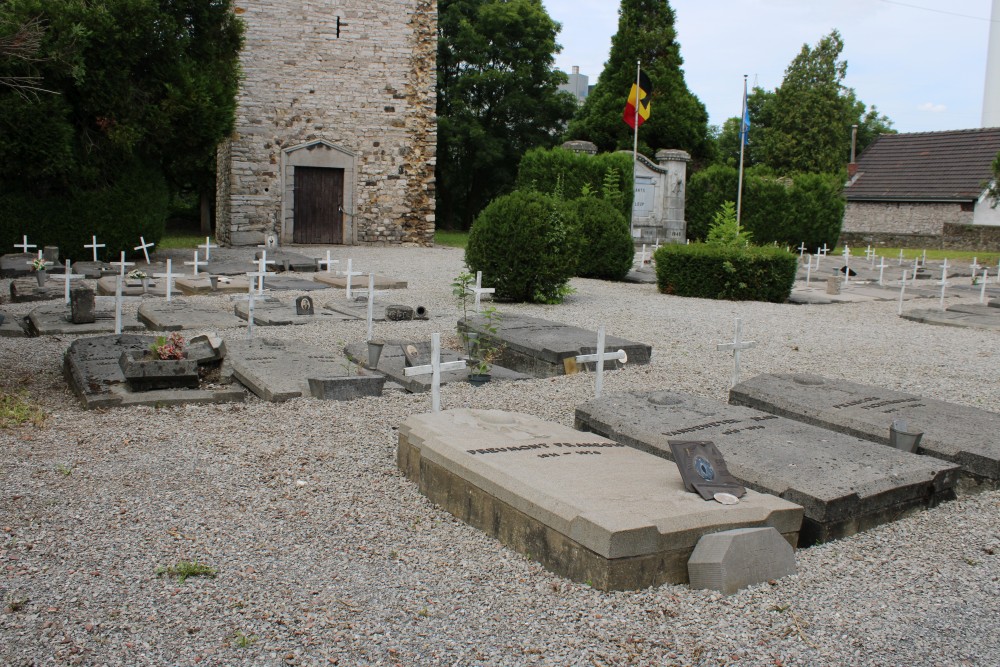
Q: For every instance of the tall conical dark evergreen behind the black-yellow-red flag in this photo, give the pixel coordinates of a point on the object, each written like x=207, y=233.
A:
x=678, y=118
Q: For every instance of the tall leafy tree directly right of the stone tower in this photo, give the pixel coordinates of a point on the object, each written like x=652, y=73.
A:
x=497, y=97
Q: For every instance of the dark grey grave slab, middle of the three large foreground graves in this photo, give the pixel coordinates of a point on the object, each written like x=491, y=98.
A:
x=844, y=484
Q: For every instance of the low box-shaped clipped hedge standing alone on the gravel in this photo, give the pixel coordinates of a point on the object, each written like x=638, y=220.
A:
x=716, y=272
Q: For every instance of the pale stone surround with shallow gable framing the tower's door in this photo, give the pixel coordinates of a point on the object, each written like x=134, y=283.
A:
x=324, y=155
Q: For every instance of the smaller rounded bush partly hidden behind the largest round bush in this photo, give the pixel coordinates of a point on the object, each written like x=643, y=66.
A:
x=606, y=250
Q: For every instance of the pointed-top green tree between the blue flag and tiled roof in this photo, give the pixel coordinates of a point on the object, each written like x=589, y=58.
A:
x=805, y=124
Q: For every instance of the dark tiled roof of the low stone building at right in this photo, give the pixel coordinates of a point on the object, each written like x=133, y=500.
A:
x=926, y=166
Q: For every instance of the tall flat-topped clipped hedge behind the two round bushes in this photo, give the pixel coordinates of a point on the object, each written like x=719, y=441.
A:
x=569, y=174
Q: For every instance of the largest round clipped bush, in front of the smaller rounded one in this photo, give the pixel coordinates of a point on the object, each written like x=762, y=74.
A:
x=524, y=247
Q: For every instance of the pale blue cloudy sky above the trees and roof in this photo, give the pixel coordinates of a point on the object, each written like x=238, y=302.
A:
x=921, y=62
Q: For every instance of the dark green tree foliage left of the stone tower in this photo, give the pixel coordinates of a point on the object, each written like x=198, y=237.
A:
x=147, y=84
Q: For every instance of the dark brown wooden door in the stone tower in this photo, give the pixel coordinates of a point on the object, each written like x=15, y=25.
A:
x=319, y=203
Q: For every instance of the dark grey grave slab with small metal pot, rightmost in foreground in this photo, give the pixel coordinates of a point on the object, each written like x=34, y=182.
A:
x=955, y=433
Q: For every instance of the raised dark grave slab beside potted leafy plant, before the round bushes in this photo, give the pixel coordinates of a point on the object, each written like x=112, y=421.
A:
x=541, y=347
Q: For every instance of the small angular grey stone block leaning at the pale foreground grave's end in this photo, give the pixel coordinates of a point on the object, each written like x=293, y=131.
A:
x=734, y=559
